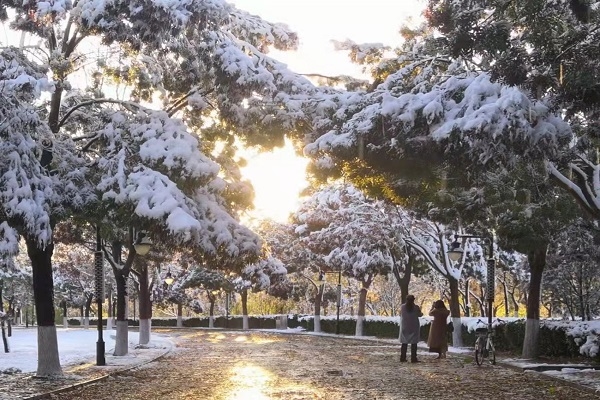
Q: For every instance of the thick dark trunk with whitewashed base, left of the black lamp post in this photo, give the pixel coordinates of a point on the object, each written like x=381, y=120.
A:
x=43, y=293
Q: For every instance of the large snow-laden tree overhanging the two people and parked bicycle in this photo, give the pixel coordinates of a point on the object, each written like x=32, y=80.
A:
x=452, y=102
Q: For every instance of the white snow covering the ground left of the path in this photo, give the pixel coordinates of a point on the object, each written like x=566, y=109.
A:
x=76, y=346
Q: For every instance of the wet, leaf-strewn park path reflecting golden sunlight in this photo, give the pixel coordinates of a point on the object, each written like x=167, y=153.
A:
x=238, y=365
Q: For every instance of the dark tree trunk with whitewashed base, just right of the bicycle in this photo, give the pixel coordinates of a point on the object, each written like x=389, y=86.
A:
x=537, y=262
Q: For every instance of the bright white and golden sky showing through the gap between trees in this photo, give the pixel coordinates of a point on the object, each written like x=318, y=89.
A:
x=279, y=176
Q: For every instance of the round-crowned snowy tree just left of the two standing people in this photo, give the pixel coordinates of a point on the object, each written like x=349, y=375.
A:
x=351, y=234
